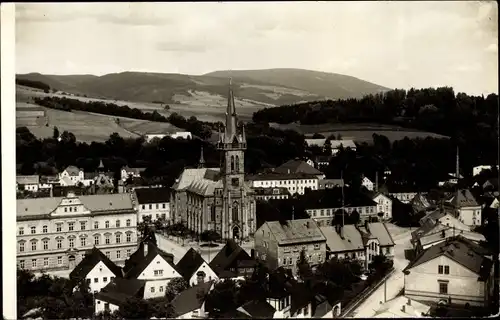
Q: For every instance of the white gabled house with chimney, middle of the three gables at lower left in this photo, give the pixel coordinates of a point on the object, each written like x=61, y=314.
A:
x=153, y=266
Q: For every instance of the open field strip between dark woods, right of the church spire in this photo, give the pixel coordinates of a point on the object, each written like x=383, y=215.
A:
x=359, y=132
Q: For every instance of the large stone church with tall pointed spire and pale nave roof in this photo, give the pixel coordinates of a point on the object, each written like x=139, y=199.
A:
x=218, y=198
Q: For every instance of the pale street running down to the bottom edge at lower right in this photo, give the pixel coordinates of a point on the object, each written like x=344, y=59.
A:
x=394, y=284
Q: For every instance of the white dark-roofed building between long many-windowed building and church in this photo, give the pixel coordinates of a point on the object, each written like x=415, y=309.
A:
x=154, y=202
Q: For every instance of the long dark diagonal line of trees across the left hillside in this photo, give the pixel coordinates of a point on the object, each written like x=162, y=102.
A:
x=192, y=124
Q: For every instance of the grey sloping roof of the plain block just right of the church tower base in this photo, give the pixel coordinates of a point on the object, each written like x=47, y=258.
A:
x=295, y=231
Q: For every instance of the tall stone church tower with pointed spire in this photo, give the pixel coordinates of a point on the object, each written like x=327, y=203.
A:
x=238, y=208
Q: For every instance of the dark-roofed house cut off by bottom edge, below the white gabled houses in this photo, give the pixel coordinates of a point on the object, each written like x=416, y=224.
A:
x=190, y=303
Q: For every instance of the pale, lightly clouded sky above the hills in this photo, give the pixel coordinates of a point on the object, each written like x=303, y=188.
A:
x=393, y=44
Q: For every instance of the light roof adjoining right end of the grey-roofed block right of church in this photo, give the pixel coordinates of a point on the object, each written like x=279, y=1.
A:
x=351, y=240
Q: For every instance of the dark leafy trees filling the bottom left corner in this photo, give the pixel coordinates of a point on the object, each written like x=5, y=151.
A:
x=52, y=297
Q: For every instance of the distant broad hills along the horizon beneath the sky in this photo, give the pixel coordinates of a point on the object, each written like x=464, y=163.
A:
x=256, y=88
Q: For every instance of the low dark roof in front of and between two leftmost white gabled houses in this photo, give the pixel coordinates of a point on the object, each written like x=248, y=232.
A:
x=119, y=290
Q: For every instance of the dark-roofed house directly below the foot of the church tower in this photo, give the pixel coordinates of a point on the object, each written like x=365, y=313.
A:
x=232, y=262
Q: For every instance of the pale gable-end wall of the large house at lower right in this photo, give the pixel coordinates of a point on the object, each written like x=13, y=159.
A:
x=463, y=287
